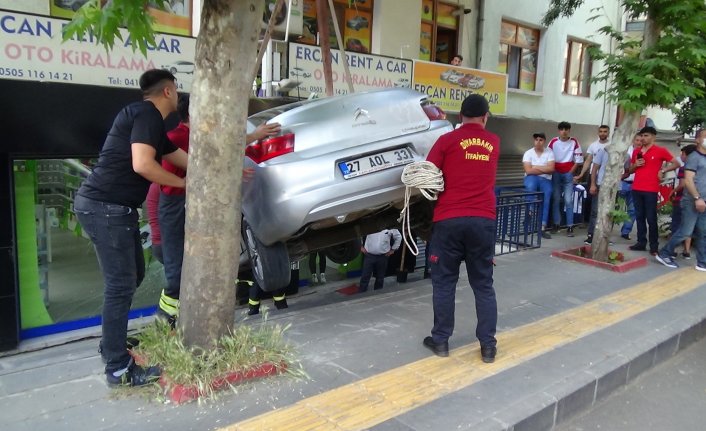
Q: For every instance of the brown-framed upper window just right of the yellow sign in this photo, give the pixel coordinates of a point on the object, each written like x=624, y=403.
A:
x=519, y=46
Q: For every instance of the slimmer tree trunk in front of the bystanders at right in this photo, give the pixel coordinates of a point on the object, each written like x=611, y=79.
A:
x=616, y=152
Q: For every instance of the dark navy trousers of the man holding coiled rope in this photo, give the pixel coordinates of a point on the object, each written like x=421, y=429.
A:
x=470, y=240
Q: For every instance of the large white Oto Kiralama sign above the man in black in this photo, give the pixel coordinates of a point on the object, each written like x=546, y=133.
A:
x=32, y=50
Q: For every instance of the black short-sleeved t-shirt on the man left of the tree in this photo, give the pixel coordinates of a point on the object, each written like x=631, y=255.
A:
x=113, y=179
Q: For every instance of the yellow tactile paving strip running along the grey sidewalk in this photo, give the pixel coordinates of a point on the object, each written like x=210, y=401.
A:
x=368, y=402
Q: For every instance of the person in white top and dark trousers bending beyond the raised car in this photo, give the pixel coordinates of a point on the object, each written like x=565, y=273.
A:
x=376, y=249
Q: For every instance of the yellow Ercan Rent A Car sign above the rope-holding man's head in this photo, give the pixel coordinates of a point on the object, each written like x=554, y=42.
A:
x=447, y=86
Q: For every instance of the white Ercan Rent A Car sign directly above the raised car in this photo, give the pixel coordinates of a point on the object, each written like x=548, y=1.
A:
x=368, y=72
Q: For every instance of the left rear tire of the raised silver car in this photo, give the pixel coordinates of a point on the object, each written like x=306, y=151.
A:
x=269, y=264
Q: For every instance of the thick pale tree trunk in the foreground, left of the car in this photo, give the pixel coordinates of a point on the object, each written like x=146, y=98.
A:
x=225, y=54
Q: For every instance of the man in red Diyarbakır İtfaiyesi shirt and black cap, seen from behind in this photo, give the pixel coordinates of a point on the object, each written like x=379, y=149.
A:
x=464, y=226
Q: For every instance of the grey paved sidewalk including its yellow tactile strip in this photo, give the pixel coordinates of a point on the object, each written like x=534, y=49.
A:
x=559, y=352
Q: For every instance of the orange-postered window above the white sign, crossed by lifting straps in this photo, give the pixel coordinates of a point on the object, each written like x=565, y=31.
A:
x=355, y=20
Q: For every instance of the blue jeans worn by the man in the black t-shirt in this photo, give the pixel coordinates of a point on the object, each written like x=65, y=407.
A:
x=115, y=233
